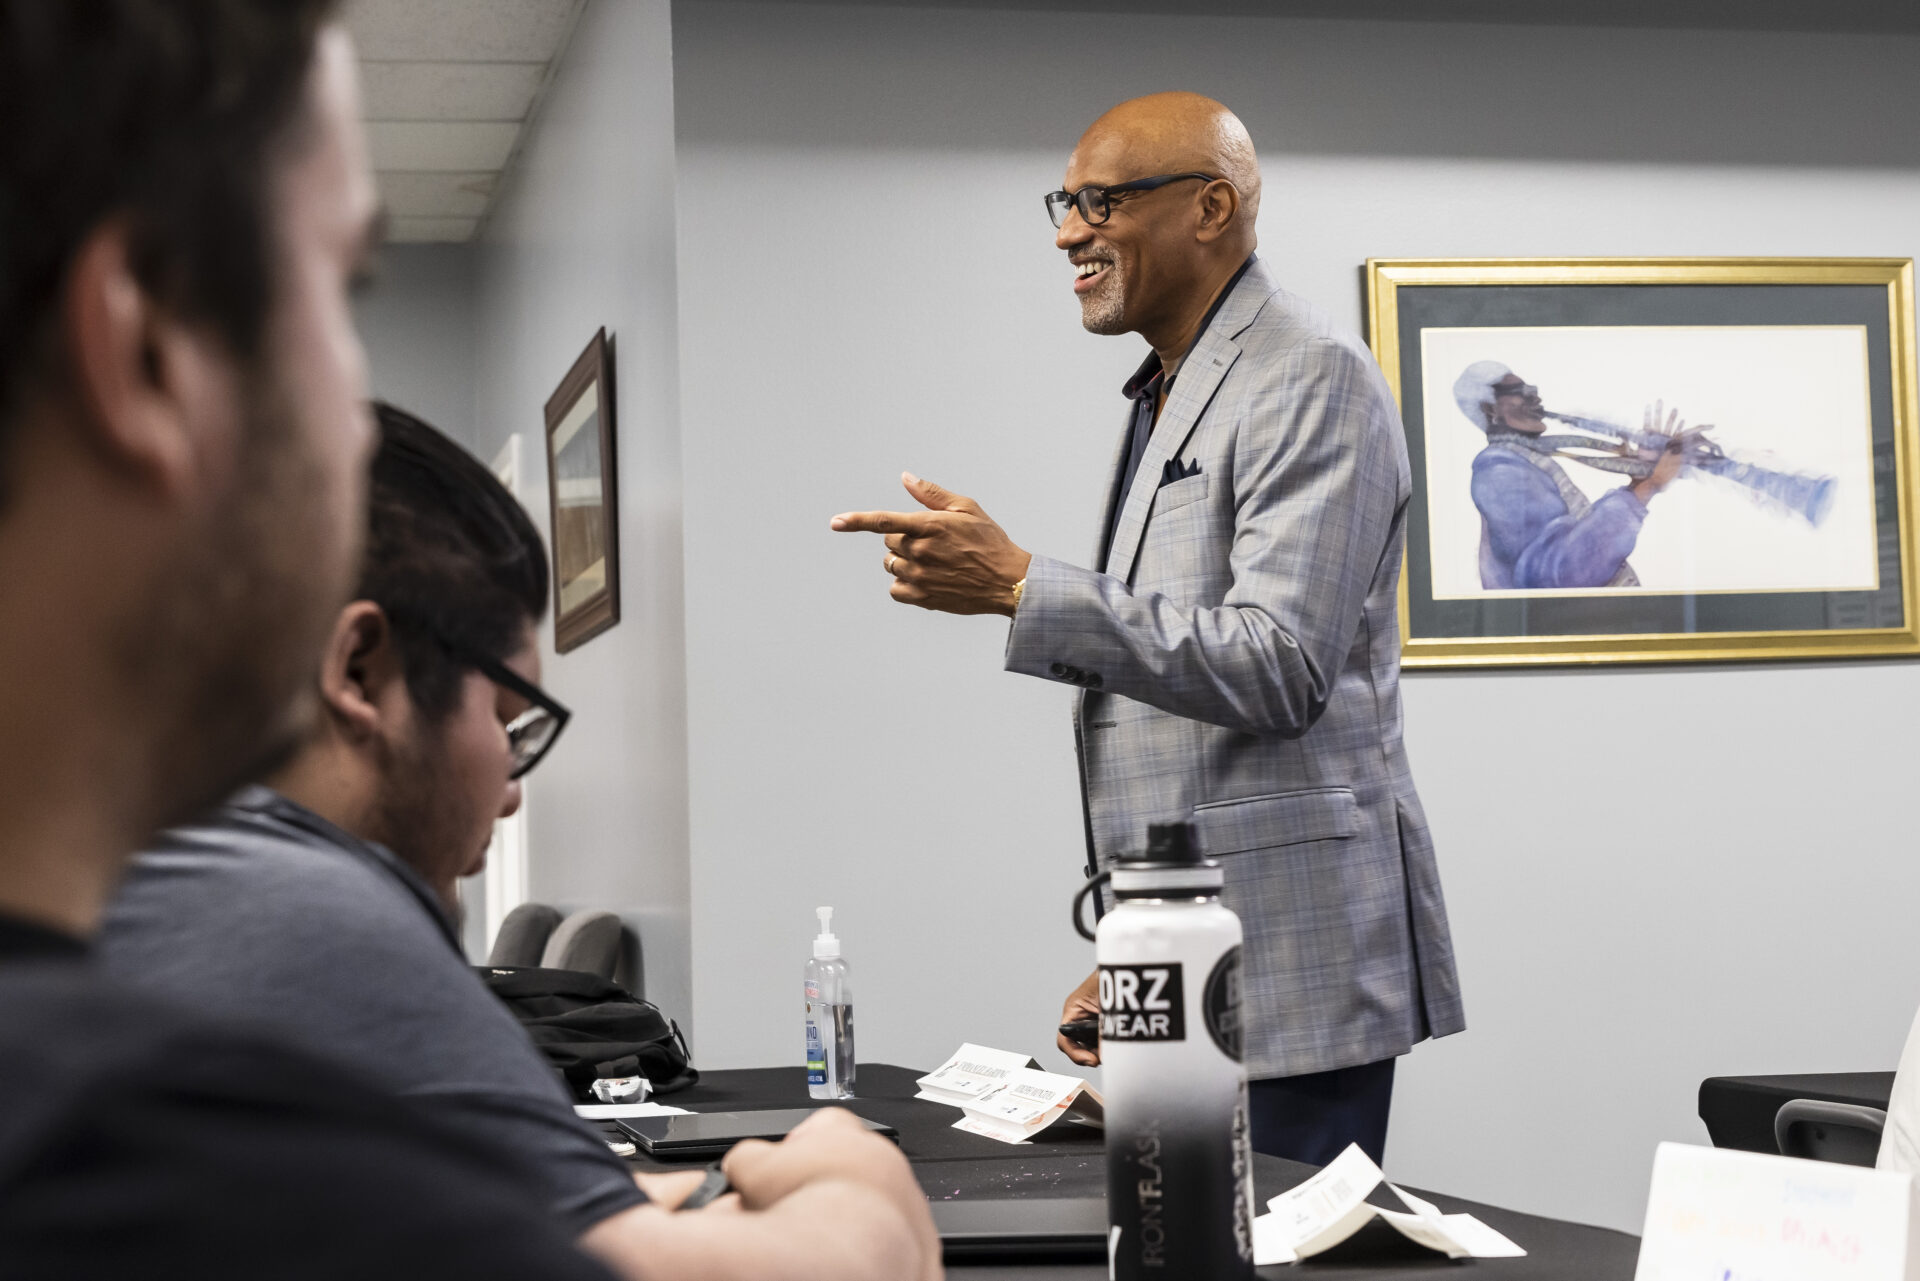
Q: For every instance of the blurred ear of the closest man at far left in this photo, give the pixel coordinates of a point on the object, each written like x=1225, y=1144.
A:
x=155, y=395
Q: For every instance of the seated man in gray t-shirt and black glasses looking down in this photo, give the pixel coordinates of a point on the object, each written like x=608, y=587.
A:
x=322, y=906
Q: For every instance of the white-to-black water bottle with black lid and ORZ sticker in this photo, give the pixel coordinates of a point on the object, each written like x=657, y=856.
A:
x=1180, y=1169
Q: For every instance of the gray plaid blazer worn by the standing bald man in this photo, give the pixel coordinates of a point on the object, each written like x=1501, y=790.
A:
x=1239, y=662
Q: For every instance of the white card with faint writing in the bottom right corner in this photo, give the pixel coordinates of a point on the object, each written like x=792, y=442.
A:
x=1716, y=1213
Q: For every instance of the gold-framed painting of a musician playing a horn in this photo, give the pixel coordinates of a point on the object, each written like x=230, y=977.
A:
x=1654, y=460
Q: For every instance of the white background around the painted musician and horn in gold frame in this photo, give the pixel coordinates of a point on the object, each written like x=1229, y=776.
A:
x=1785, y=397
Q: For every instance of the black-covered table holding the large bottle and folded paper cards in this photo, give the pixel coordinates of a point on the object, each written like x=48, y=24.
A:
x=1068, y=1163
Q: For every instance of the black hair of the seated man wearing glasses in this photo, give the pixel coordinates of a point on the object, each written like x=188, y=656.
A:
x=452, y=558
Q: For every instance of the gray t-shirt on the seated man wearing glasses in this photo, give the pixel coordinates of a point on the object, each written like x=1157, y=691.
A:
x=270, y=915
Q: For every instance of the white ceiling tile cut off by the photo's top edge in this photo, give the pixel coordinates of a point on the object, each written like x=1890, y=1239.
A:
x=460, y=30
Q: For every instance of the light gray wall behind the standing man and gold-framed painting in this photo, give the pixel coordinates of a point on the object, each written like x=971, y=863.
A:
x=1654, y=875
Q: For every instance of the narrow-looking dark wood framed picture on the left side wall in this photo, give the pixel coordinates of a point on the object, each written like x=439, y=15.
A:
x=581, y=485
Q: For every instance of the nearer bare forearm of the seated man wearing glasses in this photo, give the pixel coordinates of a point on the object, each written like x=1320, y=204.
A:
x=836, y=1228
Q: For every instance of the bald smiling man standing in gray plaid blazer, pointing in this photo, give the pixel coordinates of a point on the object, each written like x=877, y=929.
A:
x=1239, y=650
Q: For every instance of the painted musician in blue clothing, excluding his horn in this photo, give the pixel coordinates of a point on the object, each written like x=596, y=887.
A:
x=1537, y=527
